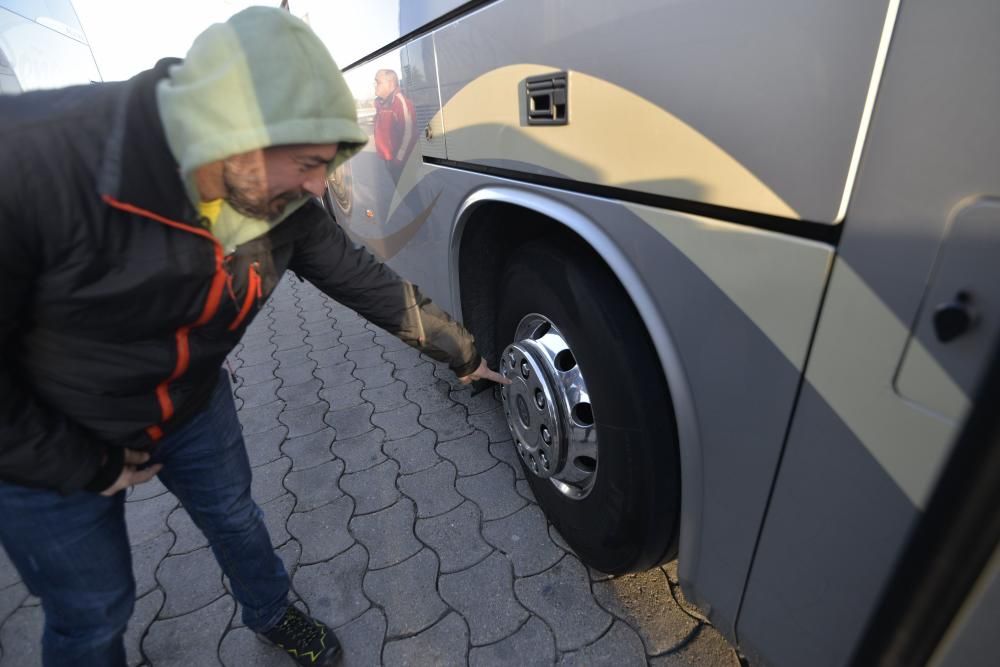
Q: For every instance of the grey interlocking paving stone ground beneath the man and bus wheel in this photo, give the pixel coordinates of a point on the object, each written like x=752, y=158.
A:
x=395, y=499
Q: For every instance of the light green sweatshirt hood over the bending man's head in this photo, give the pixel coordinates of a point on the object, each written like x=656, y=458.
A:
x=262, y=78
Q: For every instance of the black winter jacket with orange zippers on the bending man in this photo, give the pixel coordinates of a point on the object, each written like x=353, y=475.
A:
x=117, y=308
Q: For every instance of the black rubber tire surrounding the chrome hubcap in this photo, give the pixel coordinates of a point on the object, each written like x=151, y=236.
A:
x=628, y=521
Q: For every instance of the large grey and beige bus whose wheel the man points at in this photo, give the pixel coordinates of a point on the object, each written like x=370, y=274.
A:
x=740, y=261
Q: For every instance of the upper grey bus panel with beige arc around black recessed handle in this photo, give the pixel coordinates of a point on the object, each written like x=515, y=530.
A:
x=753, y=106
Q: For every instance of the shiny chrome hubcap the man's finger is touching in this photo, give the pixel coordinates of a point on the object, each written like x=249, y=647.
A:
x=548, y=407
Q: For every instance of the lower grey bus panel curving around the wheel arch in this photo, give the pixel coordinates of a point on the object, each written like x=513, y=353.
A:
x=739, y=304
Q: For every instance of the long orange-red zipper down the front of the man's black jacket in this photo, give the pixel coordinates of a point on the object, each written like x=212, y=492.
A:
x=209, y=310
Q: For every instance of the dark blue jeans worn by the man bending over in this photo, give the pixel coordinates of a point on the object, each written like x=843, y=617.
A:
x=73, y=551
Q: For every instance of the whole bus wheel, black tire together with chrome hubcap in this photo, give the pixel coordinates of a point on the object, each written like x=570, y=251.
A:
x=588, y=408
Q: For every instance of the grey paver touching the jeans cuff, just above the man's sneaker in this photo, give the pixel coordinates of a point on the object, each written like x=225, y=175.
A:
x=333, y=589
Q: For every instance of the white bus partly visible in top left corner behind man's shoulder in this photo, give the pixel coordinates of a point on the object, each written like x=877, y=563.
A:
x=42, y=45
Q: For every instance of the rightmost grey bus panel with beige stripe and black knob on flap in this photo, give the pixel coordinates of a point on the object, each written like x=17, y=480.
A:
x=865, y=451
